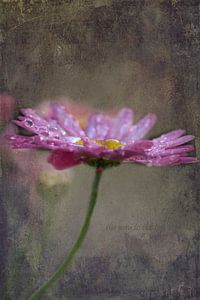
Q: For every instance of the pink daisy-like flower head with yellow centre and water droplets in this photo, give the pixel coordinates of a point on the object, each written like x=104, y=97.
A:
x=105, y=140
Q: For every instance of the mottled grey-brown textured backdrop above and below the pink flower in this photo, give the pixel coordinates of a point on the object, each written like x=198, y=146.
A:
x=144, y=238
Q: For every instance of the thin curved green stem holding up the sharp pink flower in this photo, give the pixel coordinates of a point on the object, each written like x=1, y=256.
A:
x=68, y=260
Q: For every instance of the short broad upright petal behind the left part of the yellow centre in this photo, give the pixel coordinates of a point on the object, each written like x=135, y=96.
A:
x=98, y=126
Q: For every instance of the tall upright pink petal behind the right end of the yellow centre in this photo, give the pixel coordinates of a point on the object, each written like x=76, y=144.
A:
x=121, y=124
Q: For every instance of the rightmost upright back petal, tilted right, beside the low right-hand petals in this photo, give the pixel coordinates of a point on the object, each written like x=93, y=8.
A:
x=141, y=128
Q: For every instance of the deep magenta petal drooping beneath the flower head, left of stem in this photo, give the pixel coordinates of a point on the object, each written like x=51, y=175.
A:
x=63, y=159
